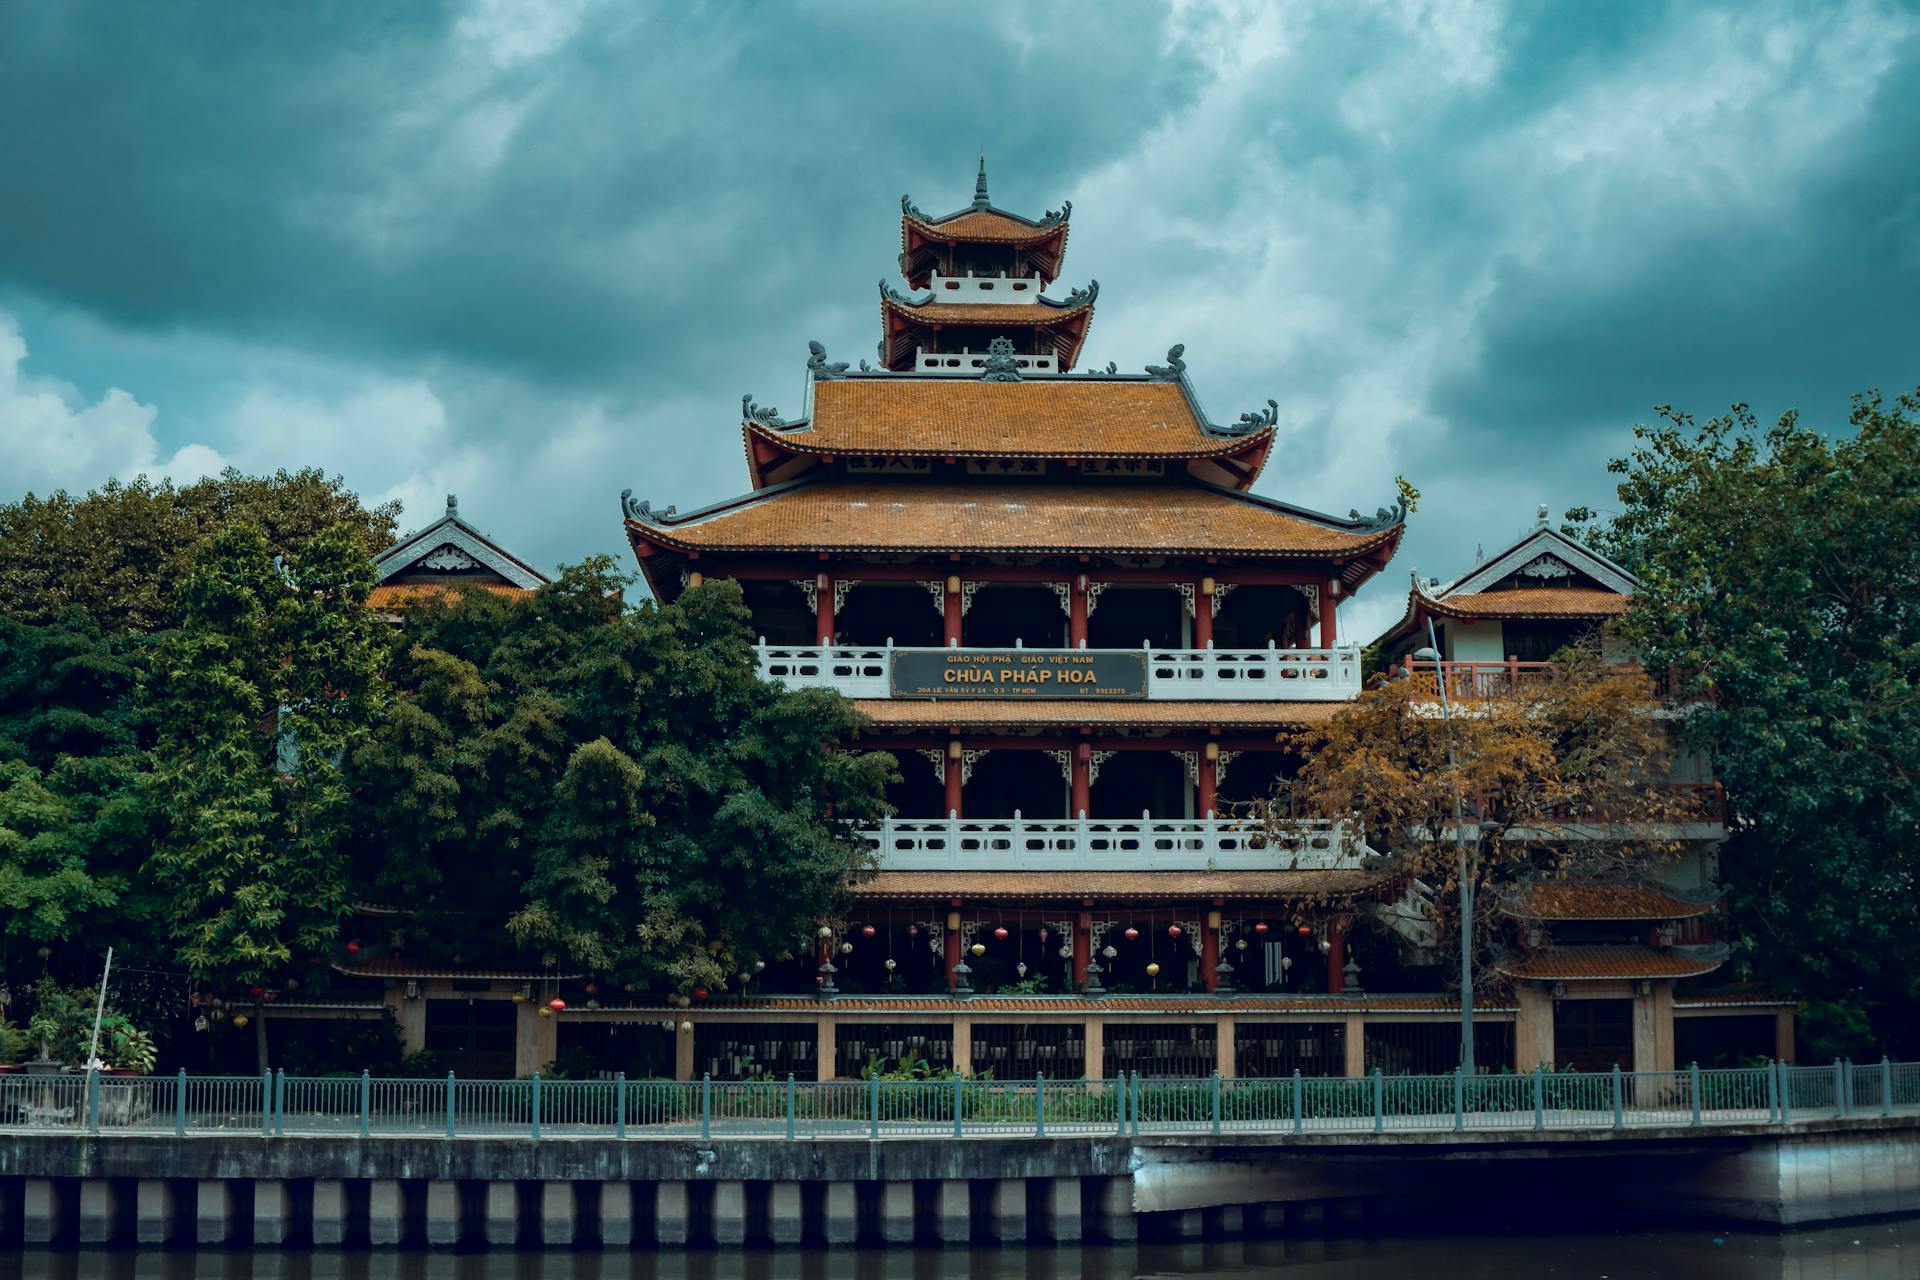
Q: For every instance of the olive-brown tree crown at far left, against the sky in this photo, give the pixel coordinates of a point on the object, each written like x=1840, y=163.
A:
x=122, y=554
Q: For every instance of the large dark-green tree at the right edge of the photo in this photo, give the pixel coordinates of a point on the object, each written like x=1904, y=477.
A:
x=1781, y=579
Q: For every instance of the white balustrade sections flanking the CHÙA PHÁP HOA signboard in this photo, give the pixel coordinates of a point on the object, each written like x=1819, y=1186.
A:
x=1182, y=675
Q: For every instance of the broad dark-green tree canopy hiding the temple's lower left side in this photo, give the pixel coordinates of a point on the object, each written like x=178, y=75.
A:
x=604, y=782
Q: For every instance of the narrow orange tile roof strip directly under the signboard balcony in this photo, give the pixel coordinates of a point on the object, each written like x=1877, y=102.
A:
x=1022, y=713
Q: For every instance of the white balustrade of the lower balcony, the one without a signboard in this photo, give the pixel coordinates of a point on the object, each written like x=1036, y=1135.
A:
x=1111, y=845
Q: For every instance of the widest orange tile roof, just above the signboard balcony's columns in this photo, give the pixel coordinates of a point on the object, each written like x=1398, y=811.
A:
x=1011, y=519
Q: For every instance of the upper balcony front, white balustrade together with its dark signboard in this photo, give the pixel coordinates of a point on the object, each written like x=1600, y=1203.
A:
x=1070, y=675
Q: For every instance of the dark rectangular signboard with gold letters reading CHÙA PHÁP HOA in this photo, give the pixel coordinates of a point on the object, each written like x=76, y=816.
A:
x=1019, y=675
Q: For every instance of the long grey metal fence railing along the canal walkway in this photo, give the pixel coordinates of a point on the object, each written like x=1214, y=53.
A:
x=276, y=1104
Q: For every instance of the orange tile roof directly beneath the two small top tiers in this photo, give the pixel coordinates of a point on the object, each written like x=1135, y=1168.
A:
x=1044, y=417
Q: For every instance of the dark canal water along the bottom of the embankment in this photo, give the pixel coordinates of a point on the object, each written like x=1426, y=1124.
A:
x=1865, y=1252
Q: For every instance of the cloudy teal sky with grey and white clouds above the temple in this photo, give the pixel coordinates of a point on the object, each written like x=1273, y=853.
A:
x=537, y=252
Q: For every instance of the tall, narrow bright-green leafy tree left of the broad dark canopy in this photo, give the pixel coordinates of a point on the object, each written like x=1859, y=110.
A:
x=272, y=678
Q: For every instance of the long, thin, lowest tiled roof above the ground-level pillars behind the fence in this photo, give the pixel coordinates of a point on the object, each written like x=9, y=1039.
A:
x=1116, y=1008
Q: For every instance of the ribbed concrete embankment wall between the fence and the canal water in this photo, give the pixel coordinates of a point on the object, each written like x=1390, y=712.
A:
x=583, y=1193
